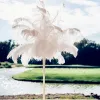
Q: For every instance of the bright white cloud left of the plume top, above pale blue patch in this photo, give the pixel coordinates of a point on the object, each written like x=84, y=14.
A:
x=10, y=11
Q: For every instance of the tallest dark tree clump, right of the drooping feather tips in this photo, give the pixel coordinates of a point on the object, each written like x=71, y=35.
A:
x=89, y=53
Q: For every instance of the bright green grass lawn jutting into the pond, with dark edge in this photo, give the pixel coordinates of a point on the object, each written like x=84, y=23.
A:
x=71, y=75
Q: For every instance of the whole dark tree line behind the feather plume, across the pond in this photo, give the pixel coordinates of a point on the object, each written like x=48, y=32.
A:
x=88, y=54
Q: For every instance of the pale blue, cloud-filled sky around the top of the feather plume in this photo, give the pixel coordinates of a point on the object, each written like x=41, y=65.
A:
x=81, y=14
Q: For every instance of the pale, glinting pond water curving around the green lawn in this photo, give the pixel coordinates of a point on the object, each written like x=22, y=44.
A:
x=9, y=86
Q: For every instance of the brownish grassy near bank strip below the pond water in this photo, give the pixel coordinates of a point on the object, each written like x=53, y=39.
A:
x=53, y=96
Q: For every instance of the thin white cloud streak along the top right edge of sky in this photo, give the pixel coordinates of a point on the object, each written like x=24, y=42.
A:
x=83, y=2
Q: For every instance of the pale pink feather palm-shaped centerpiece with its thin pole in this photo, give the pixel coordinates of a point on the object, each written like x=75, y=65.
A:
x=47, y=39
